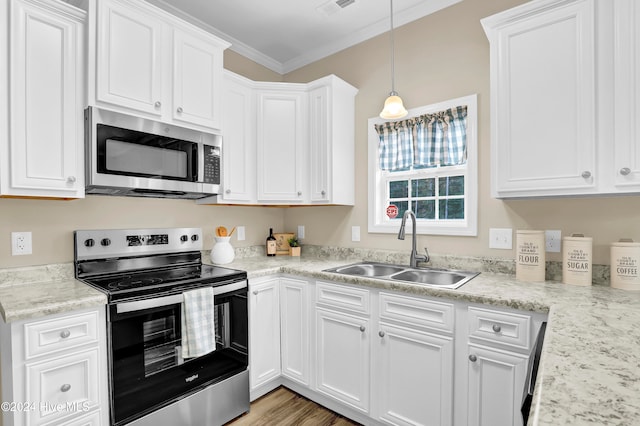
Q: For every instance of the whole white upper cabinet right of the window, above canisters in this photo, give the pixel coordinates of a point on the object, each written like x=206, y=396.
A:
x=563, y=98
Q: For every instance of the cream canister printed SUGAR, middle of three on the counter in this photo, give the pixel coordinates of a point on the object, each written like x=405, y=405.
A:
x=577, y=254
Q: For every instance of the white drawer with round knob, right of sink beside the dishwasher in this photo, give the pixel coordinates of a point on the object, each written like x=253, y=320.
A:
x=494, y=326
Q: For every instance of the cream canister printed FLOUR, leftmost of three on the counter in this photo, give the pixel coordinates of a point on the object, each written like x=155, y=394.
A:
x=530, y=257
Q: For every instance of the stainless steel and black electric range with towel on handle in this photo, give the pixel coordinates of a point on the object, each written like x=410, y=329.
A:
x=177, y=329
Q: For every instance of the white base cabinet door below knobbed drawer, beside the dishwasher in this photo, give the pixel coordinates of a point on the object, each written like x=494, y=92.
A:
x=496, y=387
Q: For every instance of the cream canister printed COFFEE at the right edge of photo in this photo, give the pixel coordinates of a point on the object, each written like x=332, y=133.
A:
x=625, y=265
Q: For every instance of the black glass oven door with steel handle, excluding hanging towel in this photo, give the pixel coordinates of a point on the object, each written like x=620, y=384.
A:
x=146, y=365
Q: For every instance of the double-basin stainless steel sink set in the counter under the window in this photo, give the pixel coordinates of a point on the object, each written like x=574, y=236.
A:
x=430, y=277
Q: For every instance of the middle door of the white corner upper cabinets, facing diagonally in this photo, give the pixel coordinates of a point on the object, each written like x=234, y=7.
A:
x=280, y=138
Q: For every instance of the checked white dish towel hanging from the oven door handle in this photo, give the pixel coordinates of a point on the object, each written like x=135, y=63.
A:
x=198, y=326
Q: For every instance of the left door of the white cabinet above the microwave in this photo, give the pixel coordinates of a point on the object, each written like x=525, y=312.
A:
x=129, y=59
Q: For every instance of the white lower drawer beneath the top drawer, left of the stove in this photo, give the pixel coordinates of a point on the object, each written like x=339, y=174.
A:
x=64, y=387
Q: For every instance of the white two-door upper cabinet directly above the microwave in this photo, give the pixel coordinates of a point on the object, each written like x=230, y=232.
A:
x=147, y=62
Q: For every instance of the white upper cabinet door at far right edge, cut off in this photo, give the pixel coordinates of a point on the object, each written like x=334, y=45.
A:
x=627, y=95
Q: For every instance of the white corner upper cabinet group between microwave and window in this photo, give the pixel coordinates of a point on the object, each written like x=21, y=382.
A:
x=287, y=143
